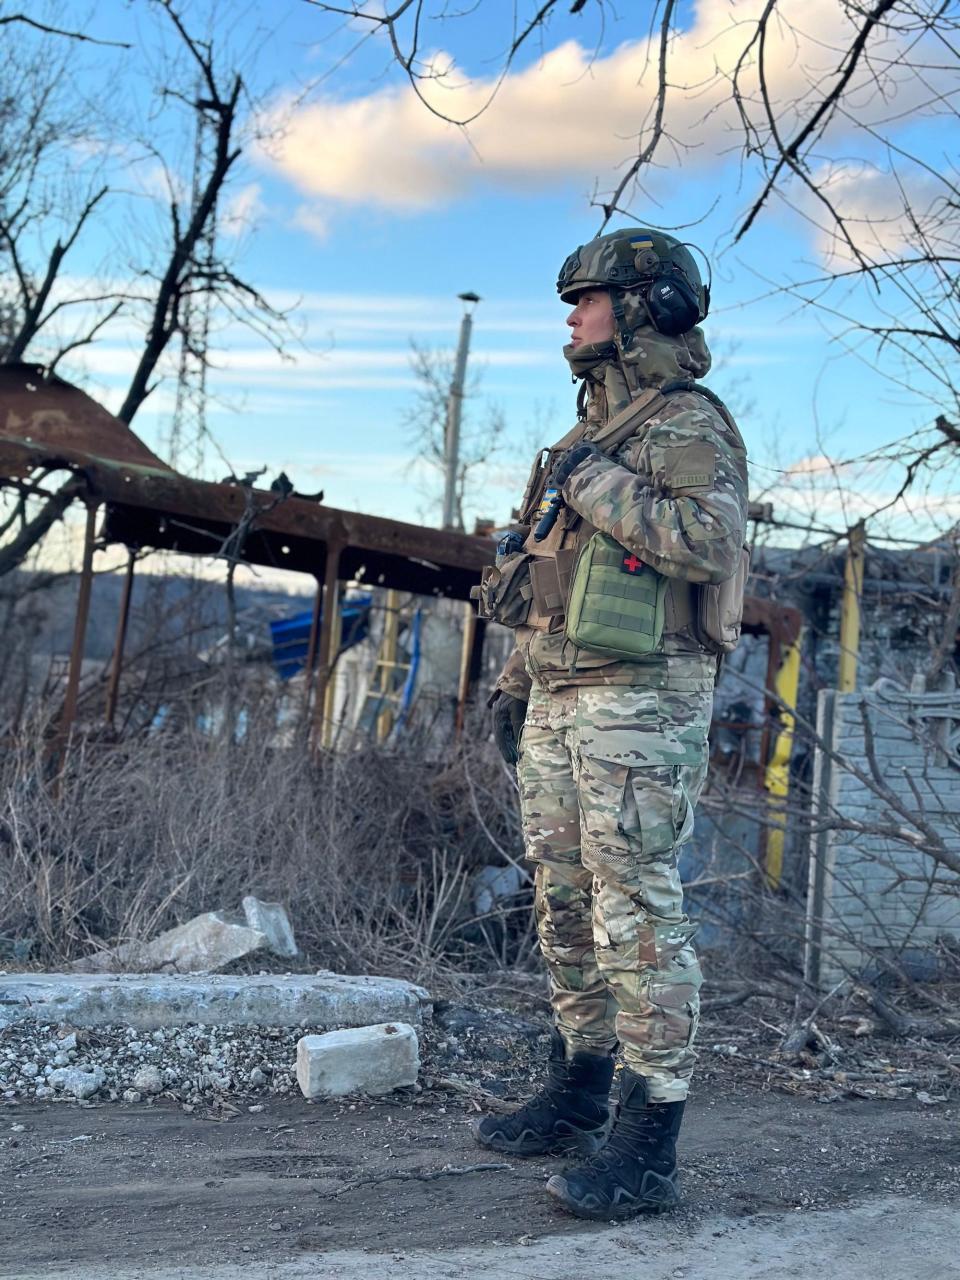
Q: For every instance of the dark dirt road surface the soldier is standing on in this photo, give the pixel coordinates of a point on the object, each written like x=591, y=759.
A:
x=111, y=1191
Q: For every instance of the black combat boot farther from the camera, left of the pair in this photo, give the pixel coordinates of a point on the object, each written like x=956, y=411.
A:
x=572, y=1113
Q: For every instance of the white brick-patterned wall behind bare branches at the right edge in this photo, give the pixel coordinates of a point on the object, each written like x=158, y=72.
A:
x=857, y=909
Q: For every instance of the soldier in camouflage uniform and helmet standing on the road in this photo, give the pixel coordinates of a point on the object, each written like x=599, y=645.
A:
x=624, y=582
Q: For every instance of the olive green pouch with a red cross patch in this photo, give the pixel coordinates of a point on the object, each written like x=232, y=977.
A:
x=616, y=602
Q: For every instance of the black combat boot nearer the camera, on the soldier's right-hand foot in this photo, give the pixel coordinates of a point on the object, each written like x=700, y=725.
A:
x=637, y=1171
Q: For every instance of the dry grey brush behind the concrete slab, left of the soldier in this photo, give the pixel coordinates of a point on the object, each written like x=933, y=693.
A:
x=372, y=849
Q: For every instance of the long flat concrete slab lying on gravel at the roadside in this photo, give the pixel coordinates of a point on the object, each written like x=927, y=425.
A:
x=149, y=1002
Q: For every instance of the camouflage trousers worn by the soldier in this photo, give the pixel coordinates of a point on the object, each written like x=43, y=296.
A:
x=609, y=781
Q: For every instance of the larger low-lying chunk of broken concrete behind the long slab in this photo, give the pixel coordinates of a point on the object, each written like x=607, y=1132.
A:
x=203, y=945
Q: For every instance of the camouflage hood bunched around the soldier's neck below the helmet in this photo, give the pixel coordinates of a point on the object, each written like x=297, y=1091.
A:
x=615, y=376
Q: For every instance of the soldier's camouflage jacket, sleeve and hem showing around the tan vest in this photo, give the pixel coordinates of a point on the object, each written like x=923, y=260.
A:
x=676, y=496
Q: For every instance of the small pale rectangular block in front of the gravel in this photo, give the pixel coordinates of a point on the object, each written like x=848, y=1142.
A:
x=363, y=1060
